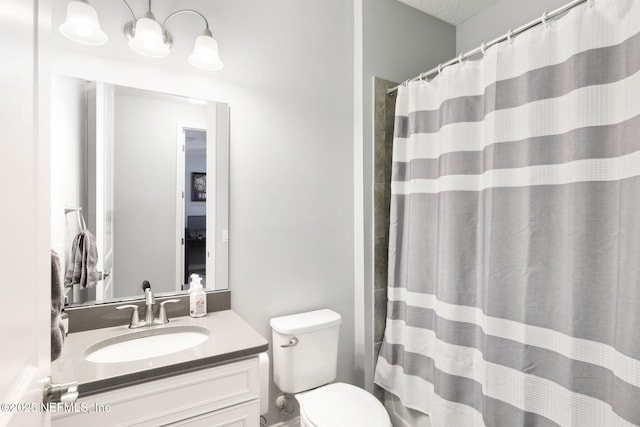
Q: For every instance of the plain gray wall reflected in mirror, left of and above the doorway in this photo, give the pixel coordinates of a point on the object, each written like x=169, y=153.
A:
x=145, y=188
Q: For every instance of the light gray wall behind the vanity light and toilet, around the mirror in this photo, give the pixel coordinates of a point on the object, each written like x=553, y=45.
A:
x=288, y=79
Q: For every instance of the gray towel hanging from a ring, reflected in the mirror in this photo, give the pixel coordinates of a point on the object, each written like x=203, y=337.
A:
x=81, y=268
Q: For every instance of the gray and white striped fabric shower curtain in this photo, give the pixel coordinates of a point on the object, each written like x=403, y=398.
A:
x=514, y=246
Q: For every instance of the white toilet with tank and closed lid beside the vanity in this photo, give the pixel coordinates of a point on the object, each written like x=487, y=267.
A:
x=305, y=360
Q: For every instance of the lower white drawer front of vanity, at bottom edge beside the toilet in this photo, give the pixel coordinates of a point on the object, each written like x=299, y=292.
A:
x=243, y=415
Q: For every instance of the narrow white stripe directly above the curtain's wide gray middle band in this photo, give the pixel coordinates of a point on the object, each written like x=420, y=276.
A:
x=614, y=169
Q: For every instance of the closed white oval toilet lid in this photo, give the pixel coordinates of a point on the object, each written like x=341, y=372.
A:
x=343, y=405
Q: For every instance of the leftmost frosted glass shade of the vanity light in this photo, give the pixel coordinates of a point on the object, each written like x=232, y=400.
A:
x=82, y=25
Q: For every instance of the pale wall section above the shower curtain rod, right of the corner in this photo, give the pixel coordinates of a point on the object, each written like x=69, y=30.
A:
x=498, y=18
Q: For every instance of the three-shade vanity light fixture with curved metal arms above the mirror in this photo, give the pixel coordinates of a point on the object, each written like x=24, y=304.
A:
x=146, y=35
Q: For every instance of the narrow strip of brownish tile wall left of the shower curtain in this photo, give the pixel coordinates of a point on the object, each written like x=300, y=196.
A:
x=384, y=111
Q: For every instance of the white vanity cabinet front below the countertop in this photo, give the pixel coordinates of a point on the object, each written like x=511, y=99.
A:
x=222, y=395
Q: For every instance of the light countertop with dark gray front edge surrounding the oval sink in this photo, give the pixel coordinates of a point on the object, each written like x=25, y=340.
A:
x=231, y=338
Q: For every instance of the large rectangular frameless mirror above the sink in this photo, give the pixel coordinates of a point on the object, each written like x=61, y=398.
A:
x=146, y=174
